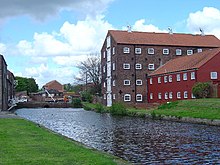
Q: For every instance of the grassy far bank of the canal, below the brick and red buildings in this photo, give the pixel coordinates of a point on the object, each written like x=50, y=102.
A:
x=196, y=108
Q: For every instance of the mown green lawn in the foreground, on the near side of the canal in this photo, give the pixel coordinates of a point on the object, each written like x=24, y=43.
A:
x=23, y=142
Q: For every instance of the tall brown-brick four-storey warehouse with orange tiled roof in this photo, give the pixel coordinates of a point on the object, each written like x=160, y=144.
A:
x=128, y=57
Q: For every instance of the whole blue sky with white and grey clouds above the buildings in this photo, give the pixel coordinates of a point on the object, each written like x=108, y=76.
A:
x=46, y=40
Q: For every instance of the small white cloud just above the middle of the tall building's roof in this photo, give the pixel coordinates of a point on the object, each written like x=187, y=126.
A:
x=140, y=25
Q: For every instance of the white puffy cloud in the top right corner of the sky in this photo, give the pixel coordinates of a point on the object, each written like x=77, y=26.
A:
x=208, y=19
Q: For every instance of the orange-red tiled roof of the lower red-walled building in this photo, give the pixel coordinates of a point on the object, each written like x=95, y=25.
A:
x=187, y=62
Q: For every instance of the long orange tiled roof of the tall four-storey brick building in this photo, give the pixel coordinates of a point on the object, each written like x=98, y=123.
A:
x=167, y=39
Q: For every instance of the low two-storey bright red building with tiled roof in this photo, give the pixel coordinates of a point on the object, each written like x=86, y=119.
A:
x=174, y=80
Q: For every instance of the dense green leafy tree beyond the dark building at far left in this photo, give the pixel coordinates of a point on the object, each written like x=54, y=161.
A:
x=26, y=84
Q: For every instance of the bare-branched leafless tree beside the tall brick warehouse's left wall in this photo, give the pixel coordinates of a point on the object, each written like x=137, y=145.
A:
x=90, y=72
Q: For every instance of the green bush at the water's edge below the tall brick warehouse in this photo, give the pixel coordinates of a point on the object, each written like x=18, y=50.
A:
x=118, y=109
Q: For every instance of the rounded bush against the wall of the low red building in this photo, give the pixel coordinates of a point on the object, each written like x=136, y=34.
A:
x=201, y=90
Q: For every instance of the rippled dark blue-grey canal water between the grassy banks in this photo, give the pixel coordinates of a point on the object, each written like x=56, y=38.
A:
x=140, y=141
